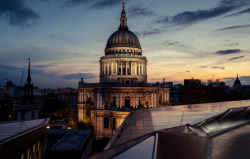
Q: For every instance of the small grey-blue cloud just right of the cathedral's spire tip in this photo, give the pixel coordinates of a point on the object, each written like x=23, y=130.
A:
x=139, y=11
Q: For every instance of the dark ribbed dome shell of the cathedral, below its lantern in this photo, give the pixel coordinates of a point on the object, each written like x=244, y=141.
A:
x=123, y=38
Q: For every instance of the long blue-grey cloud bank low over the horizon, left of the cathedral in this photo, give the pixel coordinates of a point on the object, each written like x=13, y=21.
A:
x=41, y=77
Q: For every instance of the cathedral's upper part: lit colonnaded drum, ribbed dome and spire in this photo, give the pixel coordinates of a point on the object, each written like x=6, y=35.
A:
x=123, y=61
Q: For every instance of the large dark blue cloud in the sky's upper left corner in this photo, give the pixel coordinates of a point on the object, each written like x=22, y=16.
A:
x=17, y=13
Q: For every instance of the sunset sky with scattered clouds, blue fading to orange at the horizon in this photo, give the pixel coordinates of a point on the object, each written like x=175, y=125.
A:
x=181, y=39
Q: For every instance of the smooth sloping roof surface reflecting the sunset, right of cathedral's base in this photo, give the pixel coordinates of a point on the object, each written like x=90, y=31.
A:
x=144, y=121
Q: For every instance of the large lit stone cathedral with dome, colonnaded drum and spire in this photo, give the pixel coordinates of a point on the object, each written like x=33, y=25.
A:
x=123, y=83
